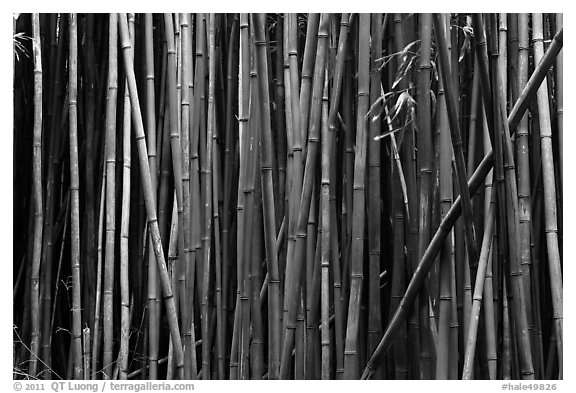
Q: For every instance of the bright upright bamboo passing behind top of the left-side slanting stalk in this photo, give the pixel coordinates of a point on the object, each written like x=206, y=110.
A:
x=124, y=226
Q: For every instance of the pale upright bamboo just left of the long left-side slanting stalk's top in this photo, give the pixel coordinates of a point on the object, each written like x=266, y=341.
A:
x=110, y=194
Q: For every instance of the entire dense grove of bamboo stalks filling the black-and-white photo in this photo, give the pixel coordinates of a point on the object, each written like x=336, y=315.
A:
x=287, y=196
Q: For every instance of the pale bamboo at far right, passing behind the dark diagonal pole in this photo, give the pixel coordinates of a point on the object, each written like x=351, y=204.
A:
x=548, y=176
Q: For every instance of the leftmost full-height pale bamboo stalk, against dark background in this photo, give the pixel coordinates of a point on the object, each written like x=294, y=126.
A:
x=37, y=195
